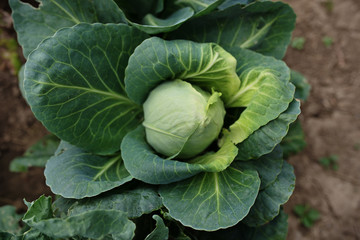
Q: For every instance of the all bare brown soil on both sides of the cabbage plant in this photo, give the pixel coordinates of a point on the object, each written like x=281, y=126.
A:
x=330, y=118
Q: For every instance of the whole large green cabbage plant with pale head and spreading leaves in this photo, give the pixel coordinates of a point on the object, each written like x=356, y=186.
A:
x=171, y=117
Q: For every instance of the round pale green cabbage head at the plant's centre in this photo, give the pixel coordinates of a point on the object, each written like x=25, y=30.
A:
x=182, y=120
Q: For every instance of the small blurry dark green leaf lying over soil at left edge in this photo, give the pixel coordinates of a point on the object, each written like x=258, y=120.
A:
x=37, y=155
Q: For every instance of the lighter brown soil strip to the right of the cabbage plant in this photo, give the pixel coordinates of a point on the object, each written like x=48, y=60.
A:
x=331, y=118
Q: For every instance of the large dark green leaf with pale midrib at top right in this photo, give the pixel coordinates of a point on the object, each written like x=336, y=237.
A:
x=264, y=27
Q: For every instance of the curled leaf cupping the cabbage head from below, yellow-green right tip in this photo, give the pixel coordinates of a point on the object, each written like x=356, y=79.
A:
x=144, y=164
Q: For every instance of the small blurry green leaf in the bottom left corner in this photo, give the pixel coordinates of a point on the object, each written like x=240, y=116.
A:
x=9, y=220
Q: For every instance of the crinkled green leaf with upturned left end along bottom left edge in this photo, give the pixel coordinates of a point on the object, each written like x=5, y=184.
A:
x=92, y=224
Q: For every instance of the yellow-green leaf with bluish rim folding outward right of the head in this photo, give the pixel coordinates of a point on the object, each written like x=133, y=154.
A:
x=265, y=91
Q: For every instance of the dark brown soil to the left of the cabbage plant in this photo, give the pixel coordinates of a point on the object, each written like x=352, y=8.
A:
x=18, y=130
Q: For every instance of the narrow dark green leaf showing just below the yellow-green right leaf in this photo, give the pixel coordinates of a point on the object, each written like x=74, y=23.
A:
x=267, y=137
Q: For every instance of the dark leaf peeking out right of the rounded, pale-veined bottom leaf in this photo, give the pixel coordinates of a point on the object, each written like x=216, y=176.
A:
x=269, y=200
